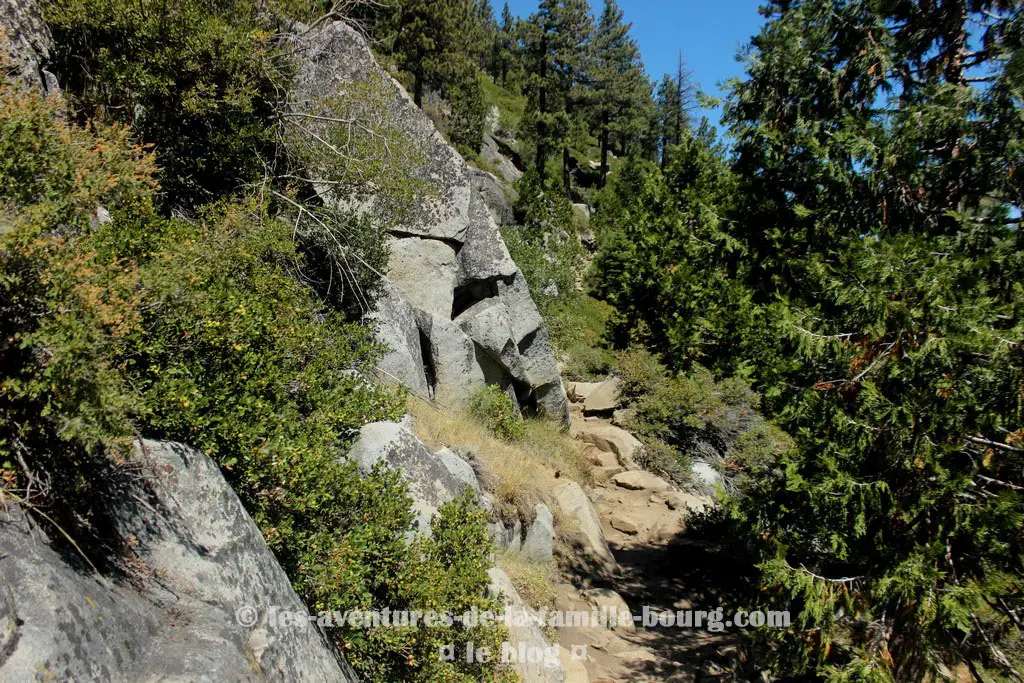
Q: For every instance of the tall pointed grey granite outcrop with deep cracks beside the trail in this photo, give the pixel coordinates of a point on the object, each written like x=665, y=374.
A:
x=447, y=253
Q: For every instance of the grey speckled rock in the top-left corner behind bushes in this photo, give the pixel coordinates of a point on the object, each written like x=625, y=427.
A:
x=27, y=39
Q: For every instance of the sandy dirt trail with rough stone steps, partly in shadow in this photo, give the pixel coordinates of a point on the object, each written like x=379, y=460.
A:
x=644, y=519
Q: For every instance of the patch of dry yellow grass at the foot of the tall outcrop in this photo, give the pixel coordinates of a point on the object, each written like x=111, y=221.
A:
x=526, y=471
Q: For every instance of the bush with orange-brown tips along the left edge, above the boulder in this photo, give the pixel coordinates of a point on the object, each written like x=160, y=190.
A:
x=65, y=308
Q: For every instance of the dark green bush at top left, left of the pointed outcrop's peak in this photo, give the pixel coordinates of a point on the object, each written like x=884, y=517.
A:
x=197, y=79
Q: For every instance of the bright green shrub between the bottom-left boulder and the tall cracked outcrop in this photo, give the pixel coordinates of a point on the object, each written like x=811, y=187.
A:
x=242, y=362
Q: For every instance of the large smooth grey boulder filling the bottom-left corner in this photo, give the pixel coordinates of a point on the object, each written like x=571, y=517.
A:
x=198, y=610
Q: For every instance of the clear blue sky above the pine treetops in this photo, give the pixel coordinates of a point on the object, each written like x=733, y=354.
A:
x=709, y=32
